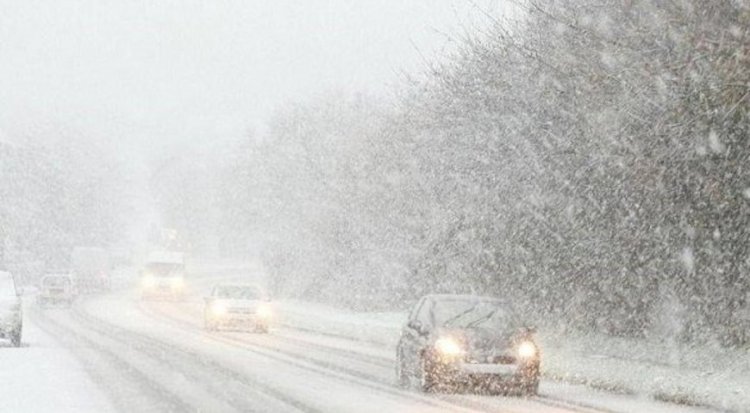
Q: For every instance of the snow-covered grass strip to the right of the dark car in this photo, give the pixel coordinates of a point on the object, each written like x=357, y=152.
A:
x=691, y=375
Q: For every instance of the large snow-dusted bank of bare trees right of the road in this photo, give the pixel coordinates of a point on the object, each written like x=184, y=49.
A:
x=590, y=160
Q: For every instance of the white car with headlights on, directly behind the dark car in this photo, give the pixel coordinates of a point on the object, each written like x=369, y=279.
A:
x=237, y=306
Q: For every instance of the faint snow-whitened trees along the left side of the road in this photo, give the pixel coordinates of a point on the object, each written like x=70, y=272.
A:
x=57, y=191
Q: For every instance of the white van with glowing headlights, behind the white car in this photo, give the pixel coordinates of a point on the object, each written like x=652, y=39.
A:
x=163, y=276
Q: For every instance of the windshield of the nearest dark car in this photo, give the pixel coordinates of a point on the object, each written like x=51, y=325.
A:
x=468, y=313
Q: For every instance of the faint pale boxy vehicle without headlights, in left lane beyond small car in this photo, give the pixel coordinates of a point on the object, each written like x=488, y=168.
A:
x=91, y=269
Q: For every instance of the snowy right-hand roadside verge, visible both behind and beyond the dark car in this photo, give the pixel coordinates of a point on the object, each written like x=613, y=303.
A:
x=716, y=378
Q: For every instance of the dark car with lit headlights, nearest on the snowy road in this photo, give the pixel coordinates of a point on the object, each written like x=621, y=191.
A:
x=462, y=341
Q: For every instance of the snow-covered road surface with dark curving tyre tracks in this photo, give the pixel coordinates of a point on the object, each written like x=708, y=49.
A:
x=155, y=356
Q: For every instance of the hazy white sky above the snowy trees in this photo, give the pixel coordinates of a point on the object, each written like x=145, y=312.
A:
x=149, y=72
